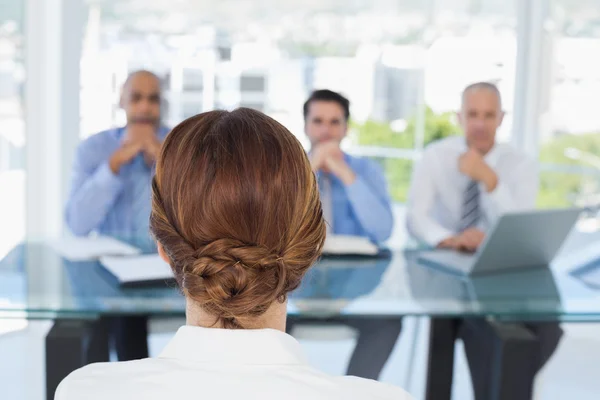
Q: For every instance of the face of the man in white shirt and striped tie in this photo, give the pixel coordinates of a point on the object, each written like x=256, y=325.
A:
x=480, y=117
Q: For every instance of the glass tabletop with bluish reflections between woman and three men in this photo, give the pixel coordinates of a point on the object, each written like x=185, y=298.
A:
x=36, y=282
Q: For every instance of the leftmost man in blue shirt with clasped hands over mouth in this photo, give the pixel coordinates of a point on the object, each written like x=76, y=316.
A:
x=111, y=187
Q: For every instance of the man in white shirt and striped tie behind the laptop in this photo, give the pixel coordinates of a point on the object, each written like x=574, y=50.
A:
x=459, y=189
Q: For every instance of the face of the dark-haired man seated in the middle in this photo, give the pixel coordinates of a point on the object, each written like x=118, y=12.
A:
x=325, y=122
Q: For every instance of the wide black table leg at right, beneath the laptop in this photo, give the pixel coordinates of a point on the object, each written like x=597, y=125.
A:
x=514, y=366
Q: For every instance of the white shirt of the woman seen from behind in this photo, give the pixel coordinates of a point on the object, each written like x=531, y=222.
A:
x=205, y=363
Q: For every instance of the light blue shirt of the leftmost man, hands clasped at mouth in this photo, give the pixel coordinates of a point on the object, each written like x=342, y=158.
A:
x=100, y=201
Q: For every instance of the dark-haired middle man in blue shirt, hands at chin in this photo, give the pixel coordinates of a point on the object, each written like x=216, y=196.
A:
x=353, y=190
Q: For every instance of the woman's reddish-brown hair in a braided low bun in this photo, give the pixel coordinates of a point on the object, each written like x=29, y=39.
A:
x=236, y=208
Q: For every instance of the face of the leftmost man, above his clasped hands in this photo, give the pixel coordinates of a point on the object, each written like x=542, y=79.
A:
x=141, y=99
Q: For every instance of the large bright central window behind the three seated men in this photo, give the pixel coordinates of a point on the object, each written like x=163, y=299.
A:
x=402, y=63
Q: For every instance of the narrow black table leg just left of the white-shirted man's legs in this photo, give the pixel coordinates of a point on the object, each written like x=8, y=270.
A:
x=440, y=364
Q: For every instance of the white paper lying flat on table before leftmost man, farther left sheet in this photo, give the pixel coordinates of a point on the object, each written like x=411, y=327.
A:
x=92, y=248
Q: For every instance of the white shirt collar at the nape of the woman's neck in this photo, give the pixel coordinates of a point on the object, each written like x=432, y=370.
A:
x=234, y=346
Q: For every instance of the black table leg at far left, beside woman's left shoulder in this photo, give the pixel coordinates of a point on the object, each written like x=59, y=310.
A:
x=71, y=344
